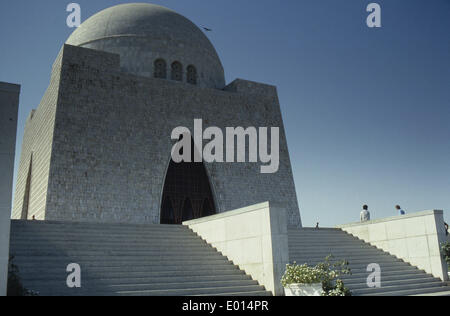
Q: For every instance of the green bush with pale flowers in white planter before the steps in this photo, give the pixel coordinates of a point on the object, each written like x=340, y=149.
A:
x=326, y=272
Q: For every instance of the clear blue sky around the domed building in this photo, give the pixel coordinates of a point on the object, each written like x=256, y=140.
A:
x=367, y=111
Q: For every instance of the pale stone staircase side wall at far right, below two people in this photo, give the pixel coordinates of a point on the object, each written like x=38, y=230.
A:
x=415, y=238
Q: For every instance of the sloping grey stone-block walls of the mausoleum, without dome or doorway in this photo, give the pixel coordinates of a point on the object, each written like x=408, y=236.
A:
x=100, y=143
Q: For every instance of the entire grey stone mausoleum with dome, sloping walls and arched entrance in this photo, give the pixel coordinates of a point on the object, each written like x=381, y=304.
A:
x=98, y=147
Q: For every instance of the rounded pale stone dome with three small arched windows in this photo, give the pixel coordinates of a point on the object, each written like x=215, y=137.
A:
x=153, y=41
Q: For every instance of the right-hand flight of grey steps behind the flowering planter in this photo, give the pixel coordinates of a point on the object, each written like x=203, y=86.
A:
x=398, y=278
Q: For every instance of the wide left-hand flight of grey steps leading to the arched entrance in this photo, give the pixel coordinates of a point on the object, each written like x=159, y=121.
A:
x=124, y=260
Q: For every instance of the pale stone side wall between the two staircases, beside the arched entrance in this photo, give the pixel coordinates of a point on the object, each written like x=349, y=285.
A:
x=254, y=238
